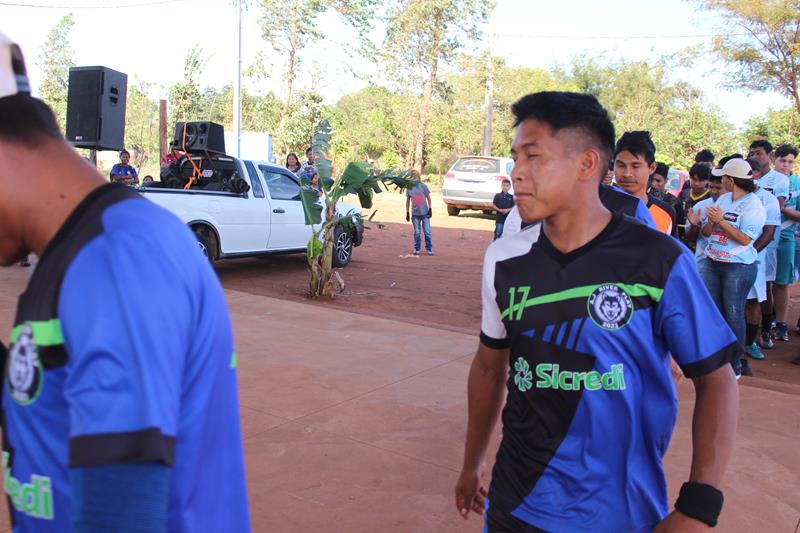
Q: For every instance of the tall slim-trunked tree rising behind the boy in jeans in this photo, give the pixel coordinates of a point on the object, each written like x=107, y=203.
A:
x=422, y=34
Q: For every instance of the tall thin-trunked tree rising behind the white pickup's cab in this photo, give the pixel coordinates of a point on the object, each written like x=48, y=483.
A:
x=290, y=25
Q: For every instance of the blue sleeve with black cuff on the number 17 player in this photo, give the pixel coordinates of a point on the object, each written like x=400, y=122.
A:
x=688, y=320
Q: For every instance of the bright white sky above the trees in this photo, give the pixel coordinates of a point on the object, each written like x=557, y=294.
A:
x=148, y=40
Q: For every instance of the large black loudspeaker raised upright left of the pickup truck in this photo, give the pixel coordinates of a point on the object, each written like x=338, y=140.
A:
x=96, y=108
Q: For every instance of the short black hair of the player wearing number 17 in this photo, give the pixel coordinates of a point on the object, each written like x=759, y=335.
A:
x=563, y=110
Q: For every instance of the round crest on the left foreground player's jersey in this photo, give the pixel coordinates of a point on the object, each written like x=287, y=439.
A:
x=24, y=371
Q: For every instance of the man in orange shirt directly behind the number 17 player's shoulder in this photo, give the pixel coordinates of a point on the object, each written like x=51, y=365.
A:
x=634, y=162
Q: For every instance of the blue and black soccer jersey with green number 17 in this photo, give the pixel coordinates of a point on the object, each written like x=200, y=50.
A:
x=591, y=402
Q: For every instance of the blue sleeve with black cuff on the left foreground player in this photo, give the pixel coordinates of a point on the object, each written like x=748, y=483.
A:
x=125, y=322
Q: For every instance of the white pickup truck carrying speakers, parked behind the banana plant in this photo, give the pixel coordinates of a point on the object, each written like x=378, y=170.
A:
x=231, y=219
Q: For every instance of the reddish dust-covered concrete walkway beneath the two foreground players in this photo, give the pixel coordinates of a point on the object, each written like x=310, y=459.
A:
x=356, y=424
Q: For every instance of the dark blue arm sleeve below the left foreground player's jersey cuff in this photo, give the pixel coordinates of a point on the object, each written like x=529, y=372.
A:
x=120, y=498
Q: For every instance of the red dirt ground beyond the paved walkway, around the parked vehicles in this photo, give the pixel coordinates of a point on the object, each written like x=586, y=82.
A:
x=440, y=291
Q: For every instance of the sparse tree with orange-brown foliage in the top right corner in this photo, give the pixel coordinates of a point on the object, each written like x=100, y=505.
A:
x=766, y=56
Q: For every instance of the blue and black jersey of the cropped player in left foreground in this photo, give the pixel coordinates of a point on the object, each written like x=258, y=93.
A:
x=123, y=353
